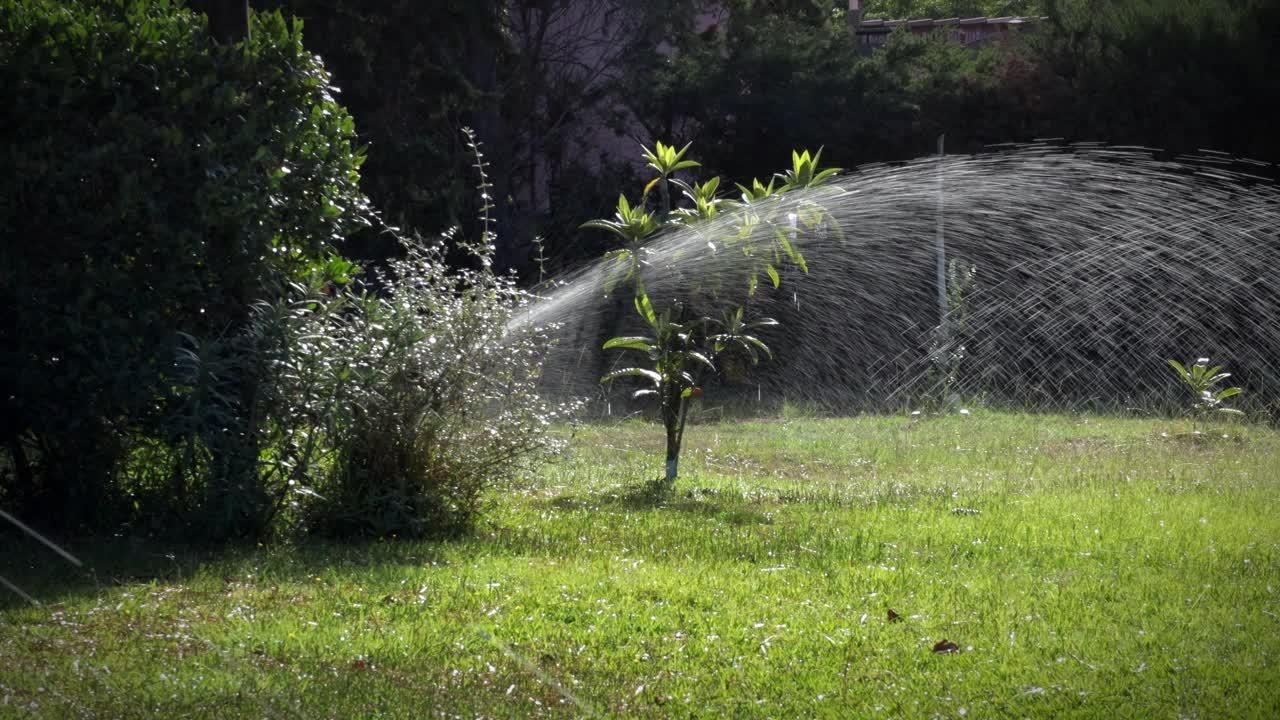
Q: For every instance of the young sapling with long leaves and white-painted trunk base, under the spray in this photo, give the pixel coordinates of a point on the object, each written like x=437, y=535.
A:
x=682, y=348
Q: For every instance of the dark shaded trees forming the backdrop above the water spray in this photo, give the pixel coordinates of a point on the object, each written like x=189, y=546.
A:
x=761, y=79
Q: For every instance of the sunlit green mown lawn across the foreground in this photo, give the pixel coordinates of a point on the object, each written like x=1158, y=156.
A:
x=1084, y=567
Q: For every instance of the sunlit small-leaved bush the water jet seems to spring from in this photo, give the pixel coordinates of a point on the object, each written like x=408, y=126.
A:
x=442, y=407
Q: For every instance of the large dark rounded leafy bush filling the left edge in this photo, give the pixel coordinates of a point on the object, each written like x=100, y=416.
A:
x=154, y=184
